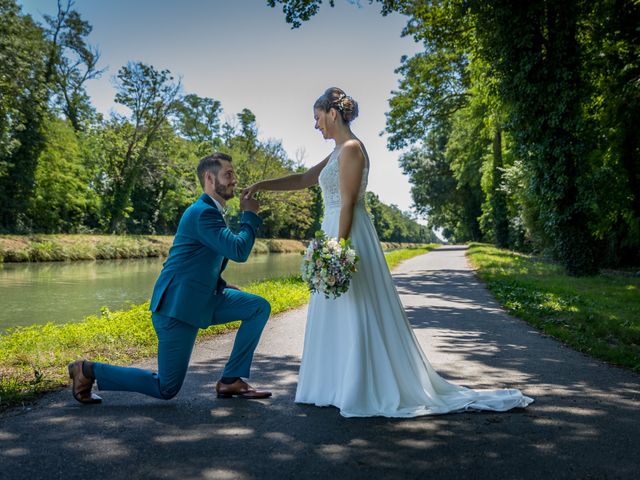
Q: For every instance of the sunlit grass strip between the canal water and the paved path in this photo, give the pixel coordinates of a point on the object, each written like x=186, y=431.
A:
x=33, y=359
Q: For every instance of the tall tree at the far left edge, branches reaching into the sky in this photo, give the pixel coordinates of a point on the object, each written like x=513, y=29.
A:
x=35, y=64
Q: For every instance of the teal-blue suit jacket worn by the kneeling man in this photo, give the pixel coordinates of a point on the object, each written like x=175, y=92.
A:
x=190, y=286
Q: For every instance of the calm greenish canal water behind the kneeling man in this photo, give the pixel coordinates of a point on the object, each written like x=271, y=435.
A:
x=68, y=291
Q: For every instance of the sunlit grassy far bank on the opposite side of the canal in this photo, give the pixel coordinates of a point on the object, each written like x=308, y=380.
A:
x=63, y=247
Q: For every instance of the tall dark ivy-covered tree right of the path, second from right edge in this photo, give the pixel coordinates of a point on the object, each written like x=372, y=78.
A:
x=534, y=51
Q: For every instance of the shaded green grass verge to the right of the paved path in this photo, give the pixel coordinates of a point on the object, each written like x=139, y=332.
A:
x=597, y=315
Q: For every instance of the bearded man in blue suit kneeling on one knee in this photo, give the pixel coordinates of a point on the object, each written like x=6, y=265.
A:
x=190, y=294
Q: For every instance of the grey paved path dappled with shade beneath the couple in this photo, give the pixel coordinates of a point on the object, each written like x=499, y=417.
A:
x=584, y=424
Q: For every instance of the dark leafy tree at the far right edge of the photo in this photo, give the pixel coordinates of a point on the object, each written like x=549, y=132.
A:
x=611, y=52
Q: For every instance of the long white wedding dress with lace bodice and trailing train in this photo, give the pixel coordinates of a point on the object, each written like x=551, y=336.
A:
x=360, y=353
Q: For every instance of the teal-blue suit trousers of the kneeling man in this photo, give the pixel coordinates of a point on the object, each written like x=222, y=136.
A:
x=175, y=344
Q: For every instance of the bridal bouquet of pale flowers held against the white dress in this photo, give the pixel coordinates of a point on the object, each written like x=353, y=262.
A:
x=328, y=265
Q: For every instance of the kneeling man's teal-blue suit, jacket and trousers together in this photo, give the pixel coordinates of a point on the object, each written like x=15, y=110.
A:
x=190, y=294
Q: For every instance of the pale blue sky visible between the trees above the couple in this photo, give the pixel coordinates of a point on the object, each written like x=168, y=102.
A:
x=244, y=54
